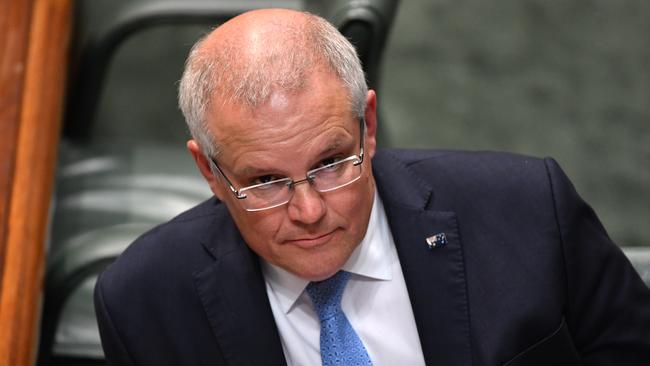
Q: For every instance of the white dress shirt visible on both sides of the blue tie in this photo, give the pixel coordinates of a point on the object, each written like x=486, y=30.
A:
x=375, y=302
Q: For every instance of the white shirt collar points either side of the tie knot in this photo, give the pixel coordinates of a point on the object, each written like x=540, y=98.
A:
x=369, y=259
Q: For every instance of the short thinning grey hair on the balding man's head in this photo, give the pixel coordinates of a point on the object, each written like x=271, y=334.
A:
x=280, y=66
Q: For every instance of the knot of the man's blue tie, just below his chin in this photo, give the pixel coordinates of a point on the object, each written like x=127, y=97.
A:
x=326, y=295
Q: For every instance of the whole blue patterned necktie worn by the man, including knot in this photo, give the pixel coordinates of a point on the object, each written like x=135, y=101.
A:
x=339, y=343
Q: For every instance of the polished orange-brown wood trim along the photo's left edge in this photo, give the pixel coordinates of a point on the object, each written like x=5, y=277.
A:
x=29, y=164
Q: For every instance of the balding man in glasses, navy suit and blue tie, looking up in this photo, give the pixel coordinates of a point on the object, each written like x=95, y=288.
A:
x=436, y=257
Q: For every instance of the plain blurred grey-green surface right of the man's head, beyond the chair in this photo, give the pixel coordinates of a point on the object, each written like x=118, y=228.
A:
x=567, y=79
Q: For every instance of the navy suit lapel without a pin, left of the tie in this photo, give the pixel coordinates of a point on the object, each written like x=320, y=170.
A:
x=234, y=298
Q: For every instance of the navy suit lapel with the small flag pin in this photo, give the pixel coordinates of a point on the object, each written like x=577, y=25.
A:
x=435, y=278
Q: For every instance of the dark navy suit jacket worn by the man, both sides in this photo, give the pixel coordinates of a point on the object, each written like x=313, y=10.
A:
x=528, y=275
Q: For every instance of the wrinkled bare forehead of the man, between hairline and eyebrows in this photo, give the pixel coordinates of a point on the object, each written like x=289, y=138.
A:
x=287, y=124
